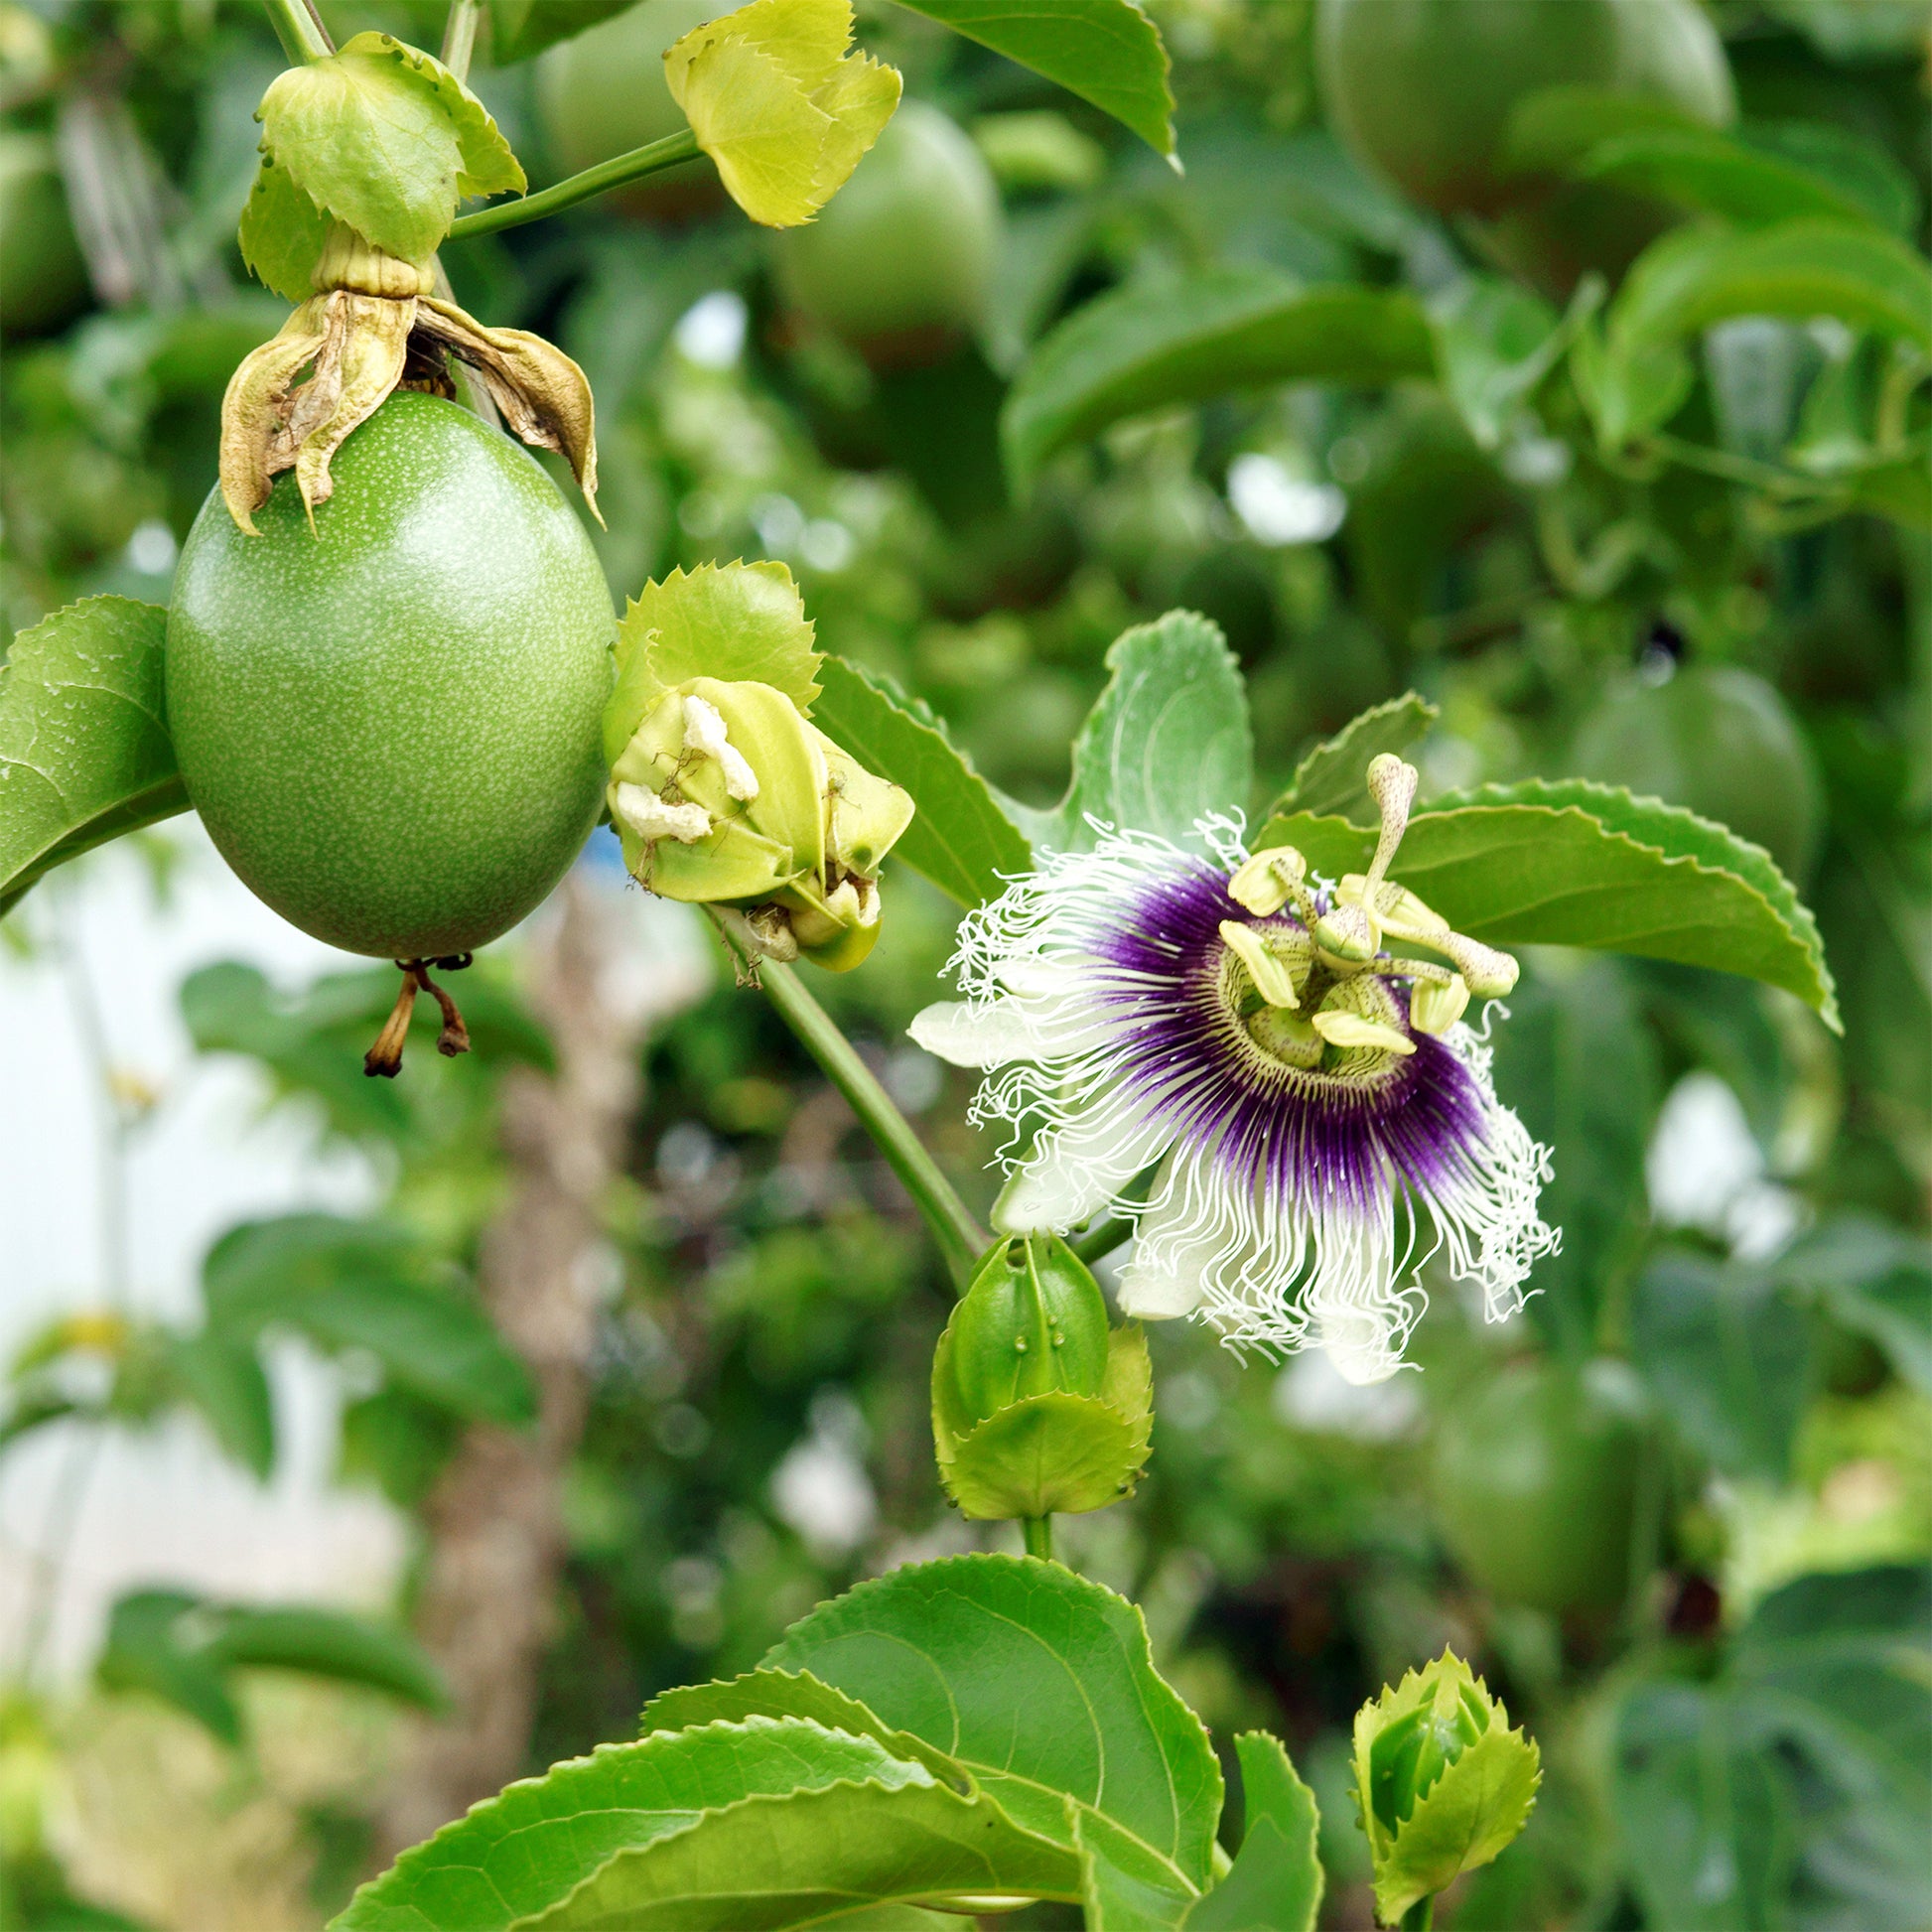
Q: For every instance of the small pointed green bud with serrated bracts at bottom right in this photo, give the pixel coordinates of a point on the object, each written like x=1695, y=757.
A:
x=1442, y=1782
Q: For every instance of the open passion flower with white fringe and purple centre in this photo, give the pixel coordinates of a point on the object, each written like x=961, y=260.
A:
x=1309, y=1098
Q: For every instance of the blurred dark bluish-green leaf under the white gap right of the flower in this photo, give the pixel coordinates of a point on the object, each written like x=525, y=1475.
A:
x=1728, y=1359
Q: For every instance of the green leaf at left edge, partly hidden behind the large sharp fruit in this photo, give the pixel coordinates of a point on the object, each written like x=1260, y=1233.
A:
x=84, y=743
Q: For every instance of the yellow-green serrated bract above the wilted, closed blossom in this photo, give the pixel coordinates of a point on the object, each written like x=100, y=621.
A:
x=720, y=621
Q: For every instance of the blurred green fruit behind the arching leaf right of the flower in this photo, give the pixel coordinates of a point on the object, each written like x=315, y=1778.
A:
x=1719, y=741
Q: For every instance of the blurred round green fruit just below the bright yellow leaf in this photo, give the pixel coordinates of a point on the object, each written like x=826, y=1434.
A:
x=901, y=262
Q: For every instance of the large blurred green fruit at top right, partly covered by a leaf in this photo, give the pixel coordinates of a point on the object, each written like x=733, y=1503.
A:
x=1423, y=92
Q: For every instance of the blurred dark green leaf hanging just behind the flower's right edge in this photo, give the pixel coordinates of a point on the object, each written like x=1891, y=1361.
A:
x=1566, y=1027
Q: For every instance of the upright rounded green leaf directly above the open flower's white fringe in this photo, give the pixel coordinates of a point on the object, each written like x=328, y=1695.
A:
x=1166, y=743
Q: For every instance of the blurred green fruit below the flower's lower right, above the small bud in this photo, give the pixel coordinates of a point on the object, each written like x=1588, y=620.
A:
x=1535, y=1485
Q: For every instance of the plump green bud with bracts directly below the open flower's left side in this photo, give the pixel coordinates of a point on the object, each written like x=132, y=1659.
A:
x=1038, y=1406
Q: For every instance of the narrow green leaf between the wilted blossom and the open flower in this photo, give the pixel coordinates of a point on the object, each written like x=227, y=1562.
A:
x=961, y=839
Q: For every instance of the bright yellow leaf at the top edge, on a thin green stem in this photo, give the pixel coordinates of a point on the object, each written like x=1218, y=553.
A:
x=781, y=105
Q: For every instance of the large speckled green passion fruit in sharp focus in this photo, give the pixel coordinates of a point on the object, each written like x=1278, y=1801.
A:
x=391, y=727
